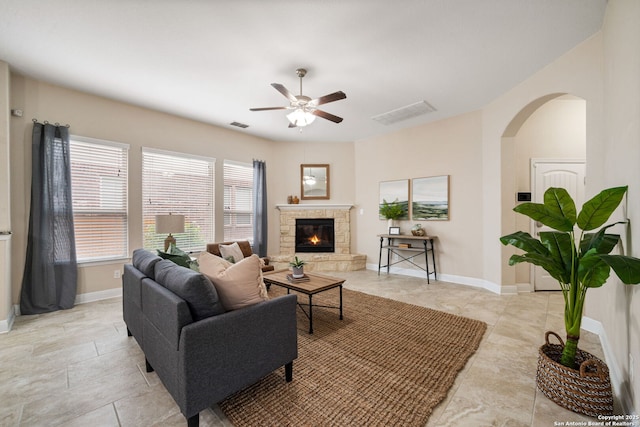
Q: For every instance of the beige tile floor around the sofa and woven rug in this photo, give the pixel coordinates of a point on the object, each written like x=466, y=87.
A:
x=78, y=367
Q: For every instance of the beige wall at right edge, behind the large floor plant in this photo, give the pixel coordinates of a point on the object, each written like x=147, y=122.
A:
x=618, y=306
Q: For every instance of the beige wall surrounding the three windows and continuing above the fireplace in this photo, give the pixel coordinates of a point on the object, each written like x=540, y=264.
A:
x=97, y=117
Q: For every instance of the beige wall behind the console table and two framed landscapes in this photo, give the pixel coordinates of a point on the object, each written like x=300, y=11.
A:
x=447, y=147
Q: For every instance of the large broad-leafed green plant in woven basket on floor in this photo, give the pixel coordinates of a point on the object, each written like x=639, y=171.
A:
x=567, y=375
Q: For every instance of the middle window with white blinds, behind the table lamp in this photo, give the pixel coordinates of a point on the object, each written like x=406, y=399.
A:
x=179, y=184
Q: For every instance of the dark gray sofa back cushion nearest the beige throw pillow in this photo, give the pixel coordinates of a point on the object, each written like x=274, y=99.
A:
x=193, y=287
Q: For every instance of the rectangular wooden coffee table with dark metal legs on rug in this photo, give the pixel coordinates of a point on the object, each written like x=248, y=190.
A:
x=317, y=283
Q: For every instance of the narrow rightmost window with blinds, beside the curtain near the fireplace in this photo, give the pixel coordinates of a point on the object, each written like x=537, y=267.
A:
x=238, y=201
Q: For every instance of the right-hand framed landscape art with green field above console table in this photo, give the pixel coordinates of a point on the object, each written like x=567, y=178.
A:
x=430, y=198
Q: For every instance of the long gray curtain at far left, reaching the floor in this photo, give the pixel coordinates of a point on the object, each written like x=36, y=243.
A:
x=50, y=275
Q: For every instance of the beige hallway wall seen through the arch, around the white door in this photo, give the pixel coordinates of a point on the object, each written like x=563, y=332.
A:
x=550, y=127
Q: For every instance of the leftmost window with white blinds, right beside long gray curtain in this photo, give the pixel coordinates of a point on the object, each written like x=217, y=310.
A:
x=99, y=192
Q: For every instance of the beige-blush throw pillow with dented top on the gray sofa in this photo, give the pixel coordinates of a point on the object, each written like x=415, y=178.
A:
x=239, y=285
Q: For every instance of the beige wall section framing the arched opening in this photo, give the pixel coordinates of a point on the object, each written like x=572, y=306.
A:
x=579, y=73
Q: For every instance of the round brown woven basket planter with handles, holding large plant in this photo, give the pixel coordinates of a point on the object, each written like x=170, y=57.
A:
x=586, y=390
